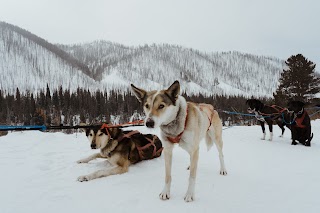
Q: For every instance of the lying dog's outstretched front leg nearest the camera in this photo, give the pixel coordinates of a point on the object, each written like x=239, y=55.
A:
x=104, y=173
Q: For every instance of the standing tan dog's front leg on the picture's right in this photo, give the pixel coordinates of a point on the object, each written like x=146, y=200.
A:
x=193, y=173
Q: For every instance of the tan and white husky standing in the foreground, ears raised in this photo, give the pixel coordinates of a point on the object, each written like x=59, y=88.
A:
x=181, y=122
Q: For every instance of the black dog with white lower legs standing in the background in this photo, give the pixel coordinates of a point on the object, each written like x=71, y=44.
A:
x=268, y=114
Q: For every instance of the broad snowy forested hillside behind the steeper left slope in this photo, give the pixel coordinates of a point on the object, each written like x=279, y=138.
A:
x=157, y=66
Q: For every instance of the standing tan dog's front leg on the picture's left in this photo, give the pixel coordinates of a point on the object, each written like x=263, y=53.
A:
x=165, y=194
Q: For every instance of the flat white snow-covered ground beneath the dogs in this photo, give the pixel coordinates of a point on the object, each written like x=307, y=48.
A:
x=39, y=174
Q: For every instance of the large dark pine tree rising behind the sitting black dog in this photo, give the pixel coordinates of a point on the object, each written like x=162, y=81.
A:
x=298, y=82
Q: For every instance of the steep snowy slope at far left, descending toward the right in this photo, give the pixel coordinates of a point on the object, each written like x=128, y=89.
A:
x=29, y=62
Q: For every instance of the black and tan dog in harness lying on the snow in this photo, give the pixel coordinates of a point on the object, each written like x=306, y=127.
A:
x=121, y=148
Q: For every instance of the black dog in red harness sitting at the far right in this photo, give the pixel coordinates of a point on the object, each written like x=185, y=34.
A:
x=301, y=127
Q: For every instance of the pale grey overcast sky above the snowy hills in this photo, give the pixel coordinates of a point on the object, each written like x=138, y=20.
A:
x=278, y=28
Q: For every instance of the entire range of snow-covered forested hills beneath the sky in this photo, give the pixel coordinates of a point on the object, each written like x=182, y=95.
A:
x=30, y=63
